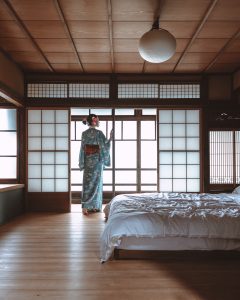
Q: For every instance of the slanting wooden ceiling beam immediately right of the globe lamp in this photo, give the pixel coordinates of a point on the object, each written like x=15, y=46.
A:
x=199, y=28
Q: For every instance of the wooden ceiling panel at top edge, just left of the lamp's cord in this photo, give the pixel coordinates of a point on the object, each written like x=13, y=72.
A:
x=134, y=10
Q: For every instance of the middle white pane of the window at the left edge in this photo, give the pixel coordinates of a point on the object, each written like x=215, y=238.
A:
x=8, y=143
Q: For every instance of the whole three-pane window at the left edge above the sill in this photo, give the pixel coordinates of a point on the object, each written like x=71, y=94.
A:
x=8, y=149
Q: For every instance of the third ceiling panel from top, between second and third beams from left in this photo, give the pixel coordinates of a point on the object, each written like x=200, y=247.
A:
x=92, y=45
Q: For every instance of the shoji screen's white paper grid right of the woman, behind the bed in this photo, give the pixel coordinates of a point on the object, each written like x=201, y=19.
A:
x=179, y=151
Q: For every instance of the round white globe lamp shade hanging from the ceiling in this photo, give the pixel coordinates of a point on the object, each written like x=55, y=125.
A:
x=157, y=45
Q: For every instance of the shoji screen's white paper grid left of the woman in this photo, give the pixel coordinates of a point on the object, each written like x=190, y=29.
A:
x=48, y=151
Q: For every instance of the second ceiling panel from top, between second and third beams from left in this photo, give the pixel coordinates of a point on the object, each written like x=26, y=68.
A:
x=85, y=29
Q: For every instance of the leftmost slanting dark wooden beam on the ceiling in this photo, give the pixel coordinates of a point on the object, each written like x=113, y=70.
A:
x=13, y=13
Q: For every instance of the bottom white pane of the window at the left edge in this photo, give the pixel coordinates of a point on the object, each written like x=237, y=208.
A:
x=8, y=167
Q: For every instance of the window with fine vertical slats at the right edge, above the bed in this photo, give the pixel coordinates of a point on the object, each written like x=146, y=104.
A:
x=224, y=152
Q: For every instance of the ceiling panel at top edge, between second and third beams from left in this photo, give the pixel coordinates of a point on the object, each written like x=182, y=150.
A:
x=94, y=10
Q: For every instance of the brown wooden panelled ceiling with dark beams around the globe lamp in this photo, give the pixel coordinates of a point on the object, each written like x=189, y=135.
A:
x=101, y=36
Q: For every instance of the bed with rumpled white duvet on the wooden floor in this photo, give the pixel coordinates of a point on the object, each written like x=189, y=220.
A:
x=171, y=221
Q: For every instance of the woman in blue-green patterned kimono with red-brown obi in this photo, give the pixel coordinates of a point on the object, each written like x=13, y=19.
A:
x=94, y=155
